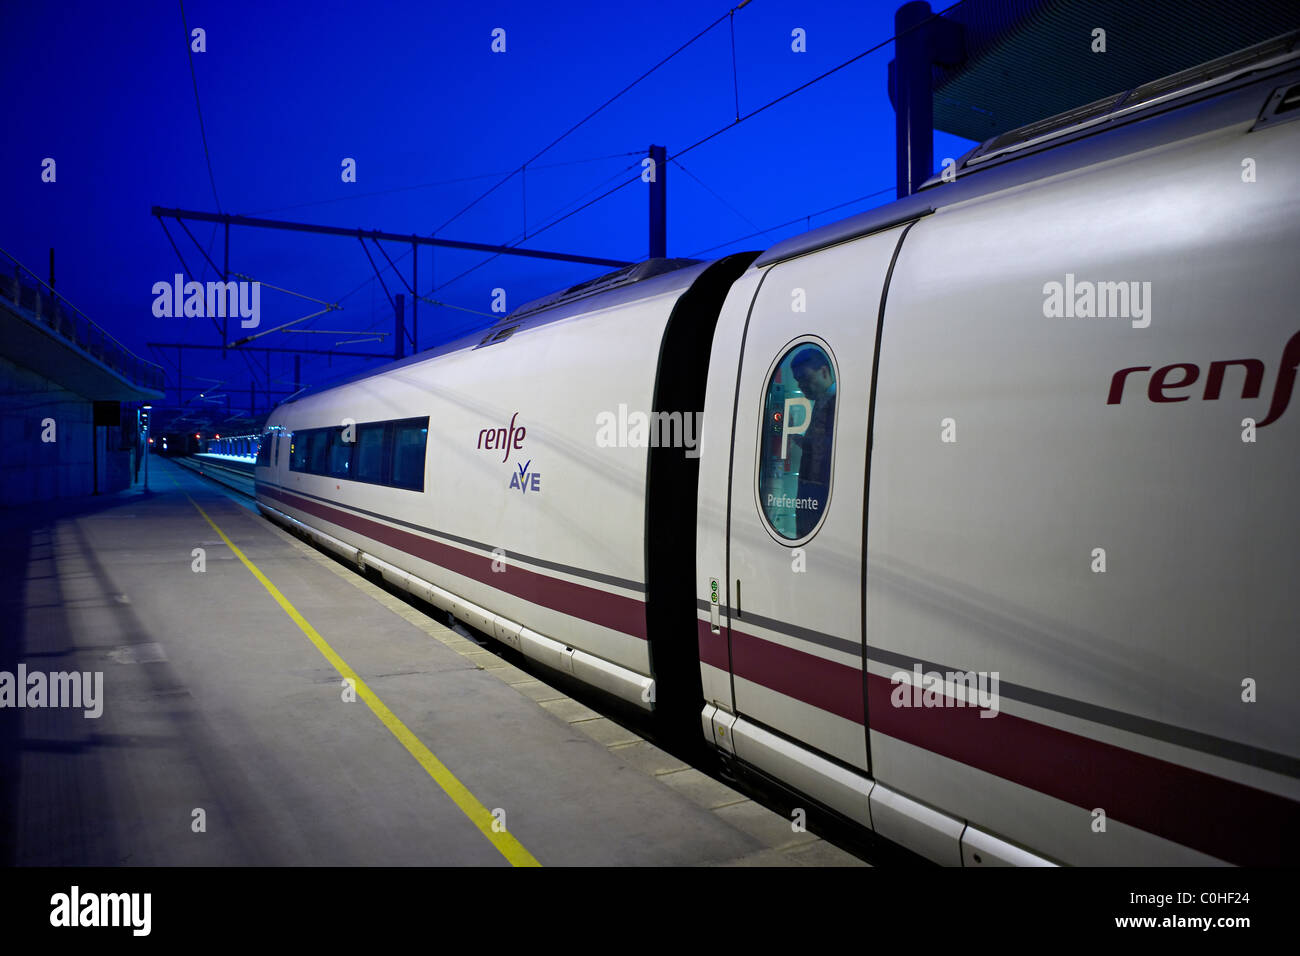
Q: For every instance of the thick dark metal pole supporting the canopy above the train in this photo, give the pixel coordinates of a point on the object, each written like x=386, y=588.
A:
x=915, y=102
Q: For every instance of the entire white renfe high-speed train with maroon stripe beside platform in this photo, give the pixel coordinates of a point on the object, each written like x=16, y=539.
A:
x=987, y=537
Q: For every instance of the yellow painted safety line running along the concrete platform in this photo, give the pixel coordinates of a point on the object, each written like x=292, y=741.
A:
x=479, y=815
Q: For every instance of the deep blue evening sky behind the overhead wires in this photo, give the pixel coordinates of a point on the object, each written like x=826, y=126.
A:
x=415, y=94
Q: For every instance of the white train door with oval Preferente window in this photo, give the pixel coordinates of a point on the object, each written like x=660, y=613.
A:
x=795, y=583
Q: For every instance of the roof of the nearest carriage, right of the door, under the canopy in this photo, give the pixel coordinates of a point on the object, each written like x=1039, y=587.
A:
x=1189, y=102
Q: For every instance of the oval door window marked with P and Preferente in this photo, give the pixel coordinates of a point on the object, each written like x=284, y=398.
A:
x=798, y=443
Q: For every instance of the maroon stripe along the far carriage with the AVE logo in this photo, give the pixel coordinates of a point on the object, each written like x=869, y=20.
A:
x=616, y=612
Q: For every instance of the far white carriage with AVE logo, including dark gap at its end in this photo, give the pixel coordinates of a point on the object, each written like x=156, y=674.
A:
x=482, y=479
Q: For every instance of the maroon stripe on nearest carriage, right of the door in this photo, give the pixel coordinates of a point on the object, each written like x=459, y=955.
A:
x=1216, y=816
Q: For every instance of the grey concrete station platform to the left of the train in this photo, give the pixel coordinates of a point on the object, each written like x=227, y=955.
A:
x=219, y=707
